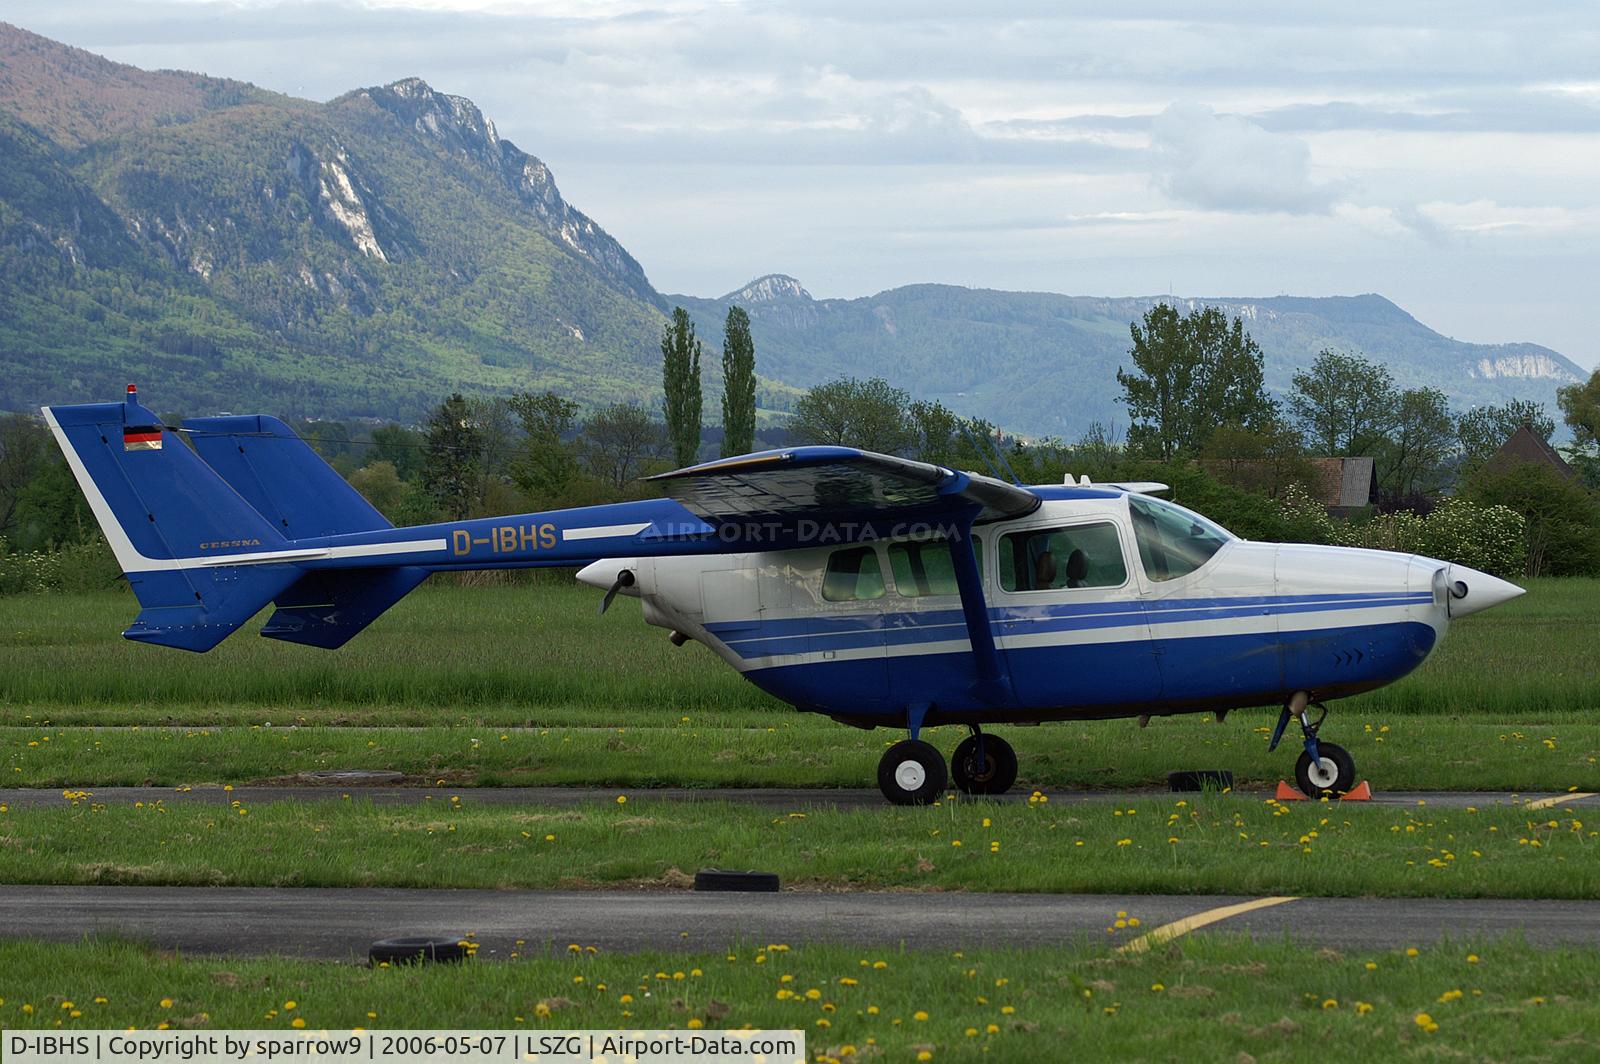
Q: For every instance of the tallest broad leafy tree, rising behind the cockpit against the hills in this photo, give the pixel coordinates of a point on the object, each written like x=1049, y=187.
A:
x=1191, y=374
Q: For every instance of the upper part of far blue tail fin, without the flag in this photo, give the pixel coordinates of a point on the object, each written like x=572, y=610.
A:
x=279, y=474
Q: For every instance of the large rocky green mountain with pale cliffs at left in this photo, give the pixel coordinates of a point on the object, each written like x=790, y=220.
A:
x=239, y=249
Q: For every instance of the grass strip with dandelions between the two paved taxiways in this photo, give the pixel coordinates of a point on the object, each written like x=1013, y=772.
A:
x=1198, y=844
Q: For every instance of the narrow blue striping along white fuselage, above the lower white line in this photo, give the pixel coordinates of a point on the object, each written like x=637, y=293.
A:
x=798, y=636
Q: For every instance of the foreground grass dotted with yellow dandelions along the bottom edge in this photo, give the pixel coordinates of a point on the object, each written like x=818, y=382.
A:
x=1201, y=999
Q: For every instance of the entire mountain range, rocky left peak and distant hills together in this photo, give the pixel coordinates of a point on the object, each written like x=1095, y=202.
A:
x=242, y=250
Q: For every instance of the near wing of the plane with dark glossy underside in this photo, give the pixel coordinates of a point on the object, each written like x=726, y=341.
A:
x=839, y=486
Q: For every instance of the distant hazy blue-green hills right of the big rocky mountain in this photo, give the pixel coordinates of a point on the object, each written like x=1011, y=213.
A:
x=1046, y=366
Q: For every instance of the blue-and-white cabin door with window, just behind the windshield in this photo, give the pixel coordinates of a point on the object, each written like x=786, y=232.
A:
x=1073, y=626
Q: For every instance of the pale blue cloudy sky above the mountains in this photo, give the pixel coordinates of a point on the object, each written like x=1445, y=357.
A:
x=1446, y=156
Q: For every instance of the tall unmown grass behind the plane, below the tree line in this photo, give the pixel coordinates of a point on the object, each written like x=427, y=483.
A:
x=538, y=655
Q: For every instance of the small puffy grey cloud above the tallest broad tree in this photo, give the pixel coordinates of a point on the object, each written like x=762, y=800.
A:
x=1228, y=162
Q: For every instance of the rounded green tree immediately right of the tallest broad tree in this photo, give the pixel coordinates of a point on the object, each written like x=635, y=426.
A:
x=1343, y=404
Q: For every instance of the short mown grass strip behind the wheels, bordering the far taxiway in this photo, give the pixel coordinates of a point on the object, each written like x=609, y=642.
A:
x=794, y=751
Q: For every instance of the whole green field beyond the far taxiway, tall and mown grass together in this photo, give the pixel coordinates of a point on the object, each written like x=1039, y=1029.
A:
x=1510, y=702
